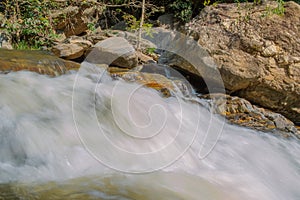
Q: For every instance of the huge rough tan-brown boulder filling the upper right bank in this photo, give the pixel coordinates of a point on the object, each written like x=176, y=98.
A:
x=257, y=52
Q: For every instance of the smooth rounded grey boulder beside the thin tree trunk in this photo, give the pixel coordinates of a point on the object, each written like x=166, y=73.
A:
x=114, y=51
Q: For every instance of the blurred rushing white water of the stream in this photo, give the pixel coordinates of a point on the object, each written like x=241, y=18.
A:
x=45, y=135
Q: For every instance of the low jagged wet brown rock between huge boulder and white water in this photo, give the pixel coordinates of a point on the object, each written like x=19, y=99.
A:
x=242, y=112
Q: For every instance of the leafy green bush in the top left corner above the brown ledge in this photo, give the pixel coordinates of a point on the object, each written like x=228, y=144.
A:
x=28, y=22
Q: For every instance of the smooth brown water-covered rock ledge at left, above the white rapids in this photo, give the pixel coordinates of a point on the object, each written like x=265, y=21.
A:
x=36, y=61
